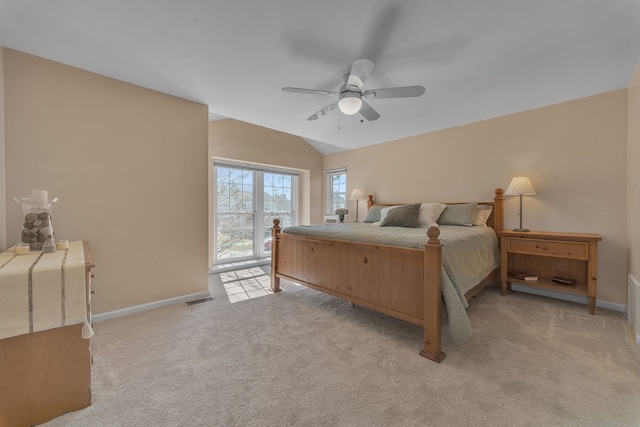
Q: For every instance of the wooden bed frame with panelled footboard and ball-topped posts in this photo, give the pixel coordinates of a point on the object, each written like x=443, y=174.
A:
x=362, y=273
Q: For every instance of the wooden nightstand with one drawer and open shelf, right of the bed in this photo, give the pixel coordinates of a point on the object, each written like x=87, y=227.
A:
x=548, y=254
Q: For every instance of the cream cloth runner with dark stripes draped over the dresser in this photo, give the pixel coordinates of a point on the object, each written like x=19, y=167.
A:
x=42, y=291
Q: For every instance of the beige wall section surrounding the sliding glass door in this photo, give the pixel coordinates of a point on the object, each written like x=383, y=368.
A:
x=234, y=140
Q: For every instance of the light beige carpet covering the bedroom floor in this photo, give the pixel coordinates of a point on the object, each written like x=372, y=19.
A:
x=302, y=358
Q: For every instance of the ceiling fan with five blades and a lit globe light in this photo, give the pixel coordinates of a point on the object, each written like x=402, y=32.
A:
x=351, y=96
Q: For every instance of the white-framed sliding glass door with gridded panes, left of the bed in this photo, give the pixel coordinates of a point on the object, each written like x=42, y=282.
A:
x=246, y=202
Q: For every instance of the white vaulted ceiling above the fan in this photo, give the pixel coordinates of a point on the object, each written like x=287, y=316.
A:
x=476, y=59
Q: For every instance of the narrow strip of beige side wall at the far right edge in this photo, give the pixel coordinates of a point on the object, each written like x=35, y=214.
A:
x=633, y=165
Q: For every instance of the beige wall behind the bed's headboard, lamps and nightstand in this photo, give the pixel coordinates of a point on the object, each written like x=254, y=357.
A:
x=574, y=153
